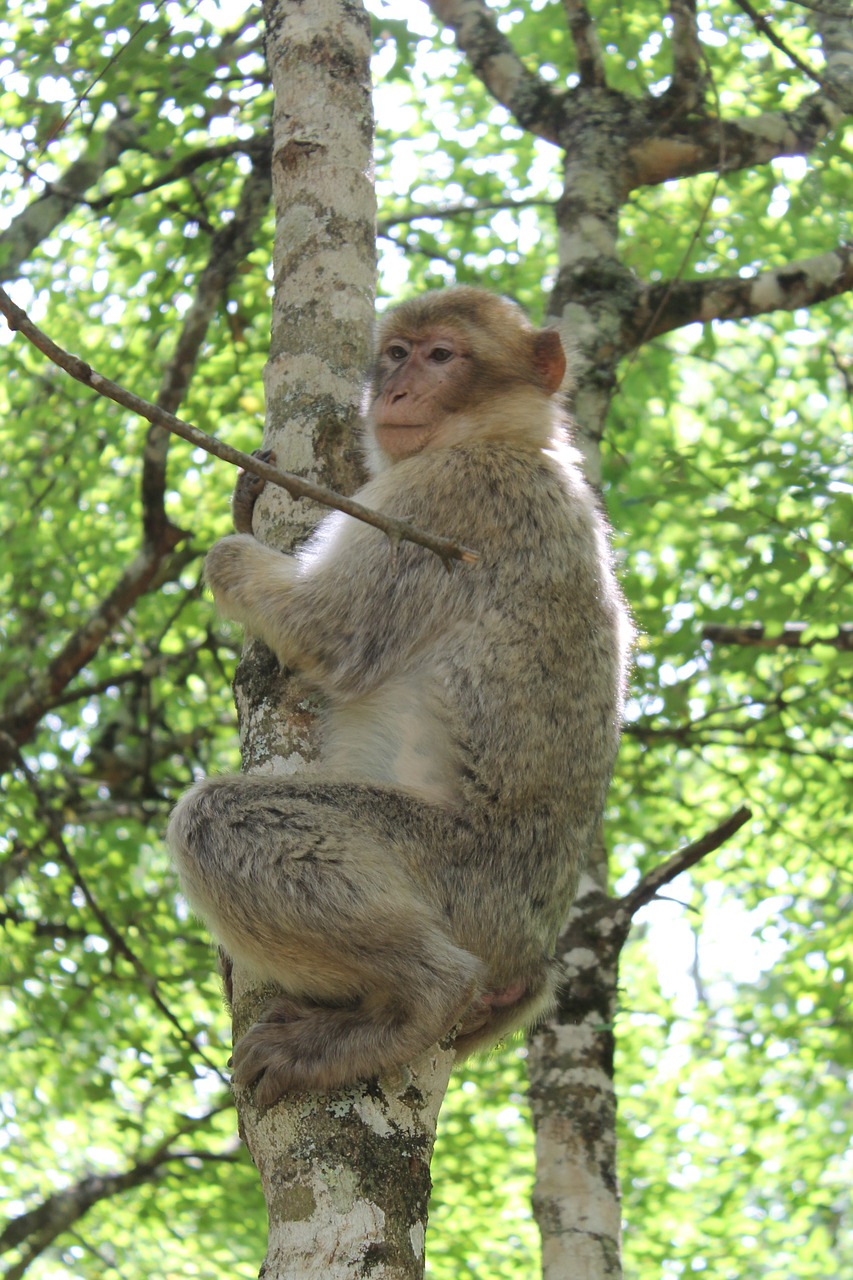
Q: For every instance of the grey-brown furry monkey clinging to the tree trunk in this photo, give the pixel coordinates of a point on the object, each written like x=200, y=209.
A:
x=417, y=879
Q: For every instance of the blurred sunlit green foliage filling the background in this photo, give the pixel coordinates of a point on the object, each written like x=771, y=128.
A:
x=728, y=483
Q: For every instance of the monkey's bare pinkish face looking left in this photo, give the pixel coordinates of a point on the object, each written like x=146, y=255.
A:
x=419, y=381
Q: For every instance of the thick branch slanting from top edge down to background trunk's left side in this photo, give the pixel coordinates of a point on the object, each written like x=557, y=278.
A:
x=536, y=104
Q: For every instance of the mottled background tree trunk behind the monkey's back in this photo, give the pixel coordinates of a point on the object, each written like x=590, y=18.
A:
x=573, y=1095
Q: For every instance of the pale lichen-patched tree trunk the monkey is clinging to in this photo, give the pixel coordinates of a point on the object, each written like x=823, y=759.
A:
x=345, y=1176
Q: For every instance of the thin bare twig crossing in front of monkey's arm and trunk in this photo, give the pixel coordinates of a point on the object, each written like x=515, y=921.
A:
x=396, y=531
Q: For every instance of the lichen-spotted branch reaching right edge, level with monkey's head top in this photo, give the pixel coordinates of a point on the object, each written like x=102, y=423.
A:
x=672, y=305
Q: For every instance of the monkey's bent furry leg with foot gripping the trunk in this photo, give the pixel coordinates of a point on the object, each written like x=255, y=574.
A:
x=307, y=884
